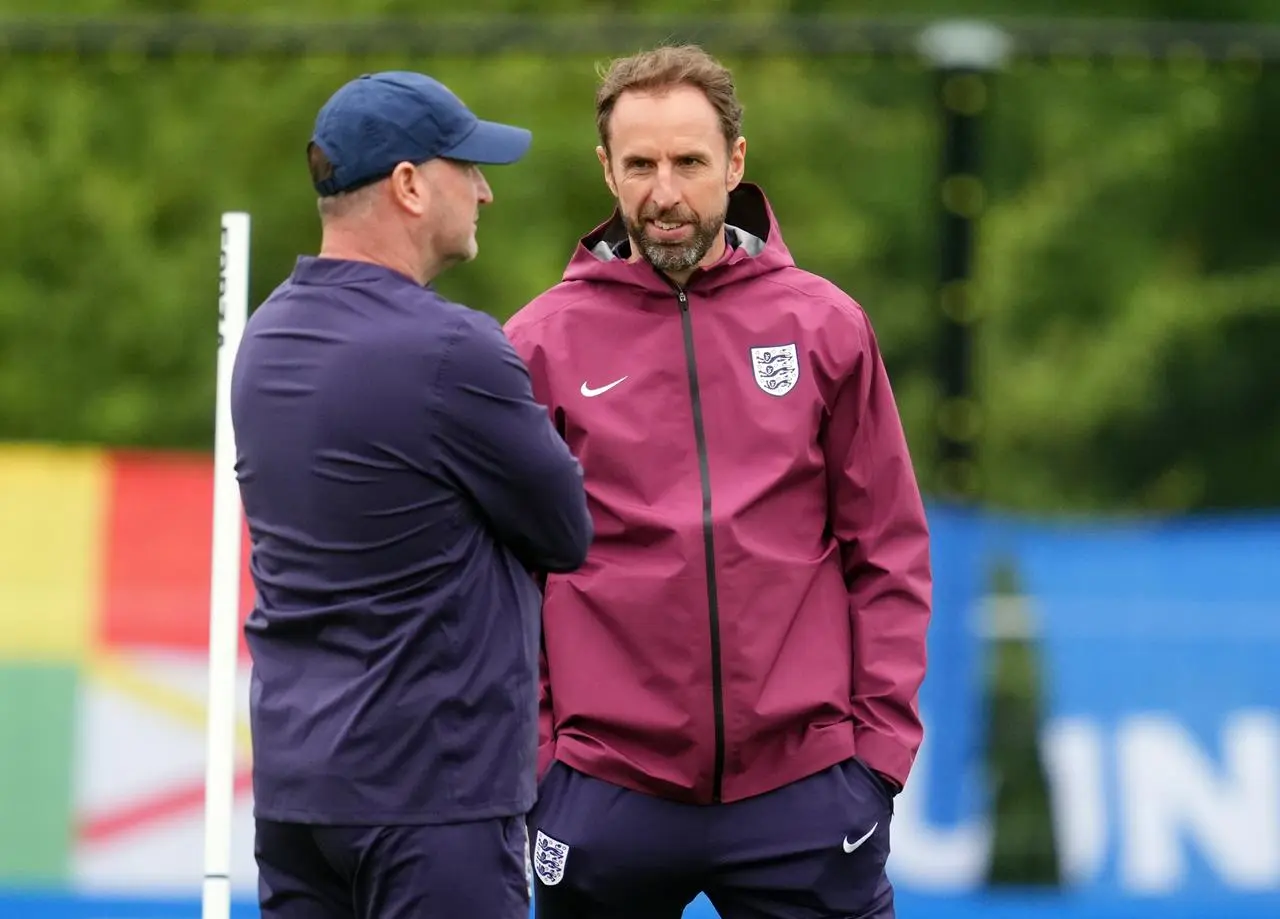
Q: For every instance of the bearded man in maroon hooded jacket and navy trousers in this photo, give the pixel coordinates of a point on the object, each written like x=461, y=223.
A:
x=749, y=629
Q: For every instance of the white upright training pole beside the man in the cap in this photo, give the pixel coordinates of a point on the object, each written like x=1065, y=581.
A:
x=225, y=578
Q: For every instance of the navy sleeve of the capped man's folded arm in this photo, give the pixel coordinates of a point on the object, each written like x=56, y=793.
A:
x=500, y=447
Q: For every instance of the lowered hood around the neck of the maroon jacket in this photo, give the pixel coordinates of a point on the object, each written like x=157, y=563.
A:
x=757, y=249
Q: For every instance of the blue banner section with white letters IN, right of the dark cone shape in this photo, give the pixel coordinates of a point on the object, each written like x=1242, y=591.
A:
x=1162, y=652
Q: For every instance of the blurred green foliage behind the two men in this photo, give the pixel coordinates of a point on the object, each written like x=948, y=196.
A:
x=1127, y=273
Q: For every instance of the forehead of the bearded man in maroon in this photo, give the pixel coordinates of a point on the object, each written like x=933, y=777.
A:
x=665, y=122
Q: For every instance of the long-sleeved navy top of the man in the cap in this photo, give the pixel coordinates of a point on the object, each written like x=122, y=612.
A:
x=400, y=486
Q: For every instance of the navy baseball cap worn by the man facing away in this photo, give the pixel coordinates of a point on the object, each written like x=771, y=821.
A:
x=380, y=121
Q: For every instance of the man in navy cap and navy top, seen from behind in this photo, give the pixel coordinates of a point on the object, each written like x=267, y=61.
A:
x=403, y=488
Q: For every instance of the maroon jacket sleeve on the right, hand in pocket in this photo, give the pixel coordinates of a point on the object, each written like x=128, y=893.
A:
x=879, y=520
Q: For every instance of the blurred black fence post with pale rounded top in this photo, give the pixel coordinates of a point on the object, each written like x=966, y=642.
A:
x=963, y=57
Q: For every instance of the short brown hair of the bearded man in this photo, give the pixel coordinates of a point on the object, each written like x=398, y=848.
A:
x=664, y=68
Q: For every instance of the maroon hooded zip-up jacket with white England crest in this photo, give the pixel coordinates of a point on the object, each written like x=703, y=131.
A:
x=756, y=602
